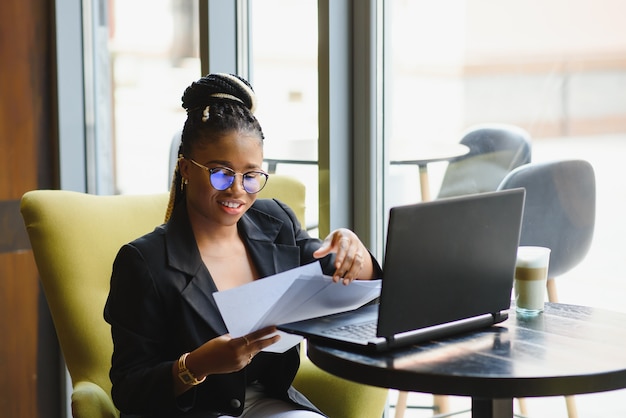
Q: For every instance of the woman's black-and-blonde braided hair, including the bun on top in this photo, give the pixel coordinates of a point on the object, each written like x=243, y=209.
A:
x=216, y=104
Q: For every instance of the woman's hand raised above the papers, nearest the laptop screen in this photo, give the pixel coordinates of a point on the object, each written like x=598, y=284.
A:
x=352, y=256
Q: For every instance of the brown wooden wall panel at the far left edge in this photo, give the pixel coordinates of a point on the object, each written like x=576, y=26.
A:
x=29, y=355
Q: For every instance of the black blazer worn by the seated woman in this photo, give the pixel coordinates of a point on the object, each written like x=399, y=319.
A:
x=160, y=305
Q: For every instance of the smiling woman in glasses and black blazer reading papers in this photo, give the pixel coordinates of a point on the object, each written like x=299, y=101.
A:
x=172, y=352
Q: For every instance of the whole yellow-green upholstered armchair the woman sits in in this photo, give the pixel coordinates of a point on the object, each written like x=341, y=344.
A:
x=75, y=237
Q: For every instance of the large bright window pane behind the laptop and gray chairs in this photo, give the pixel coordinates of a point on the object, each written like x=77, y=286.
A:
x=556, y=68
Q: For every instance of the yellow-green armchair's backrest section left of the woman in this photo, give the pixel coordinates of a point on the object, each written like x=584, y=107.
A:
x=75, y=237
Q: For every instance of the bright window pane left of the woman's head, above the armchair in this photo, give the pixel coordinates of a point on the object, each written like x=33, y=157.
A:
x=153, y=59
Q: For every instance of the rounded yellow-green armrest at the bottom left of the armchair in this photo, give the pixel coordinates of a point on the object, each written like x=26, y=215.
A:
x=91, y=401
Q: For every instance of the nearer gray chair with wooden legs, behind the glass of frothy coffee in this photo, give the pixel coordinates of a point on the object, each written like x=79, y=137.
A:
x=559, y=213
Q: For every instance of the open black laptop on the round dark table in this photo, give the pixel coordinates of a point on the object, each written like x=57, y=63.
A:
x=448, y=268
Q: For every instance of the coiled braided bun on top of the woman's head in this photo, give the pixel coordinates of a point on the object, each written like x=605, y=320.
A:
x=219, y=86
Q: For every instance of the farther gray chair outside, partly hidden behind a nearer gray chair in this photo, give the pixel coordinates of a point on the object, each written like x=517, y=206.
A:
x=495, y=150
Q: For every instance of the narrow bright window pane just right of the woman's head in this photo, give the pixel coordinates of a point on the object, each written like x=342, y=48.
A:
x=284, y=76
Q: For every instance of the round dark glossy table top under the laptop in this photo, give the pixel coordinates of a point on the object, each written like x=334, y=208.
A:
x=566, y=350
